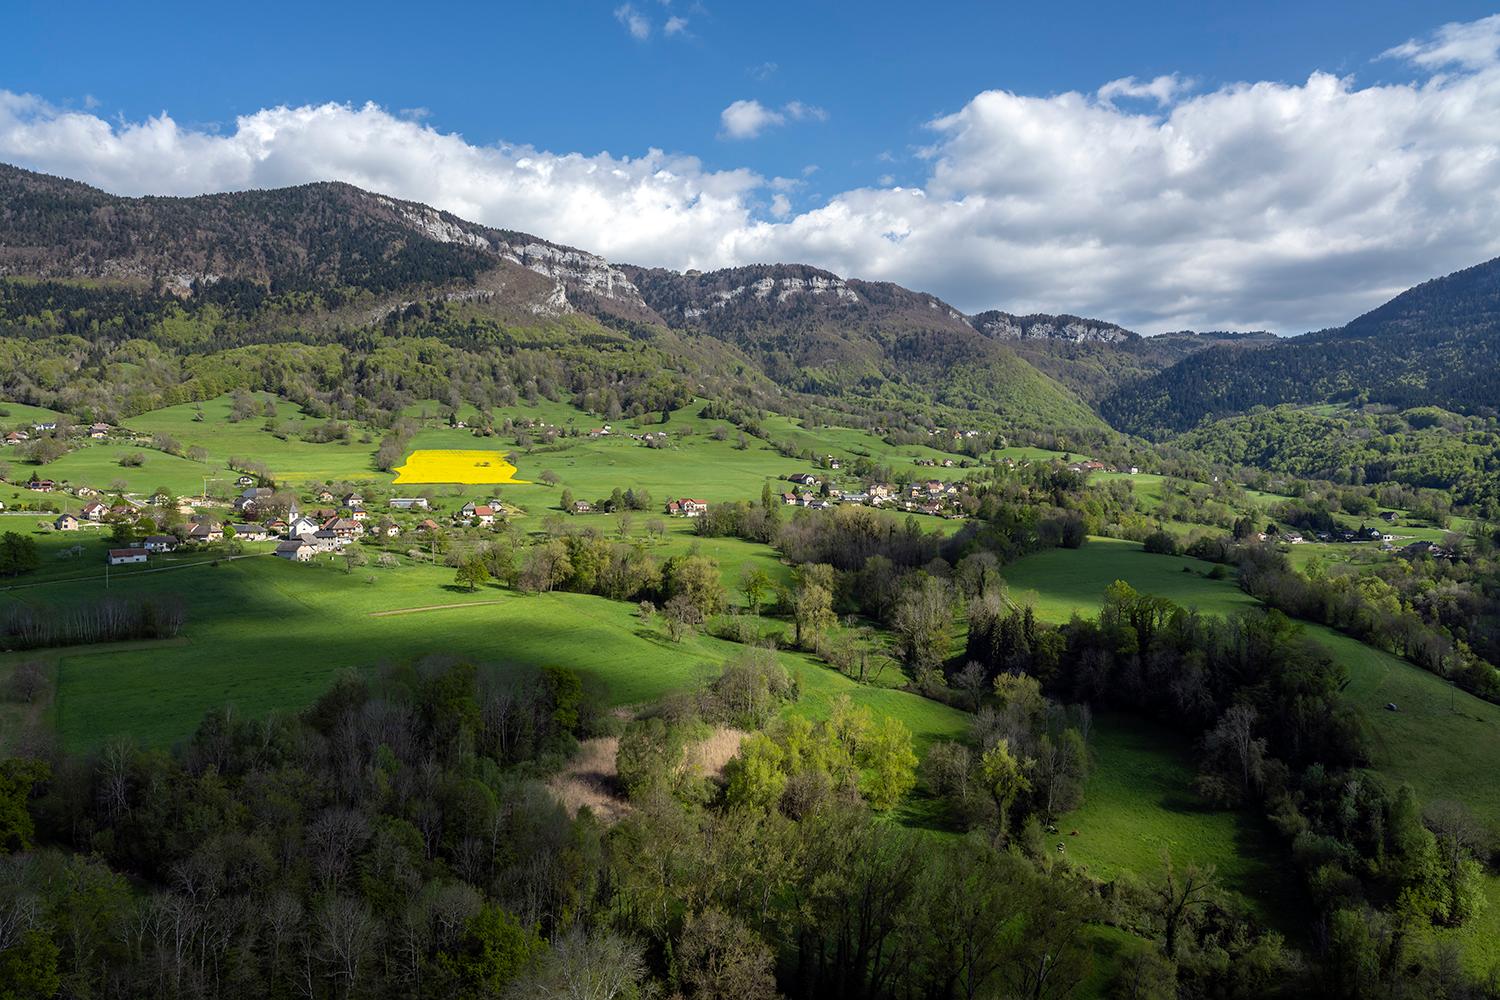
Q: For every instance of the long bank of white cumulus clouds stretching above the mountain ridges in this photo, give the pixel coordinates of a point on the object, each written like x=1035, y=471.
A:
x=1288, y=206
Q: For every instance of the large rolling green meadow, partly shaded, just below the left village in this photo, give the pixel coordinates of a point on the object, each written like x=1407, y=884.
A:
x=295, y=627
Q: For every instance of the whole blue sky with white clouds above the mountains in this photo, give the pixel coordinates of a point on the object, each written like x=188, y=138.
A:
x=1163, y=166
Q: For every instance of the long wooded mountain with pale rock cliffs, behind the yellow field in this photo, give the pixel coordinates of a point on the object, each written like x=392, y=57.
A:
x=329, y=260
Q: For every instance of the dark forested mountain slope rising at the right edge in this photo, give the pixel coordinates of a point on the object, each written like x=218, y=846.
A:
x=1438, y=344
